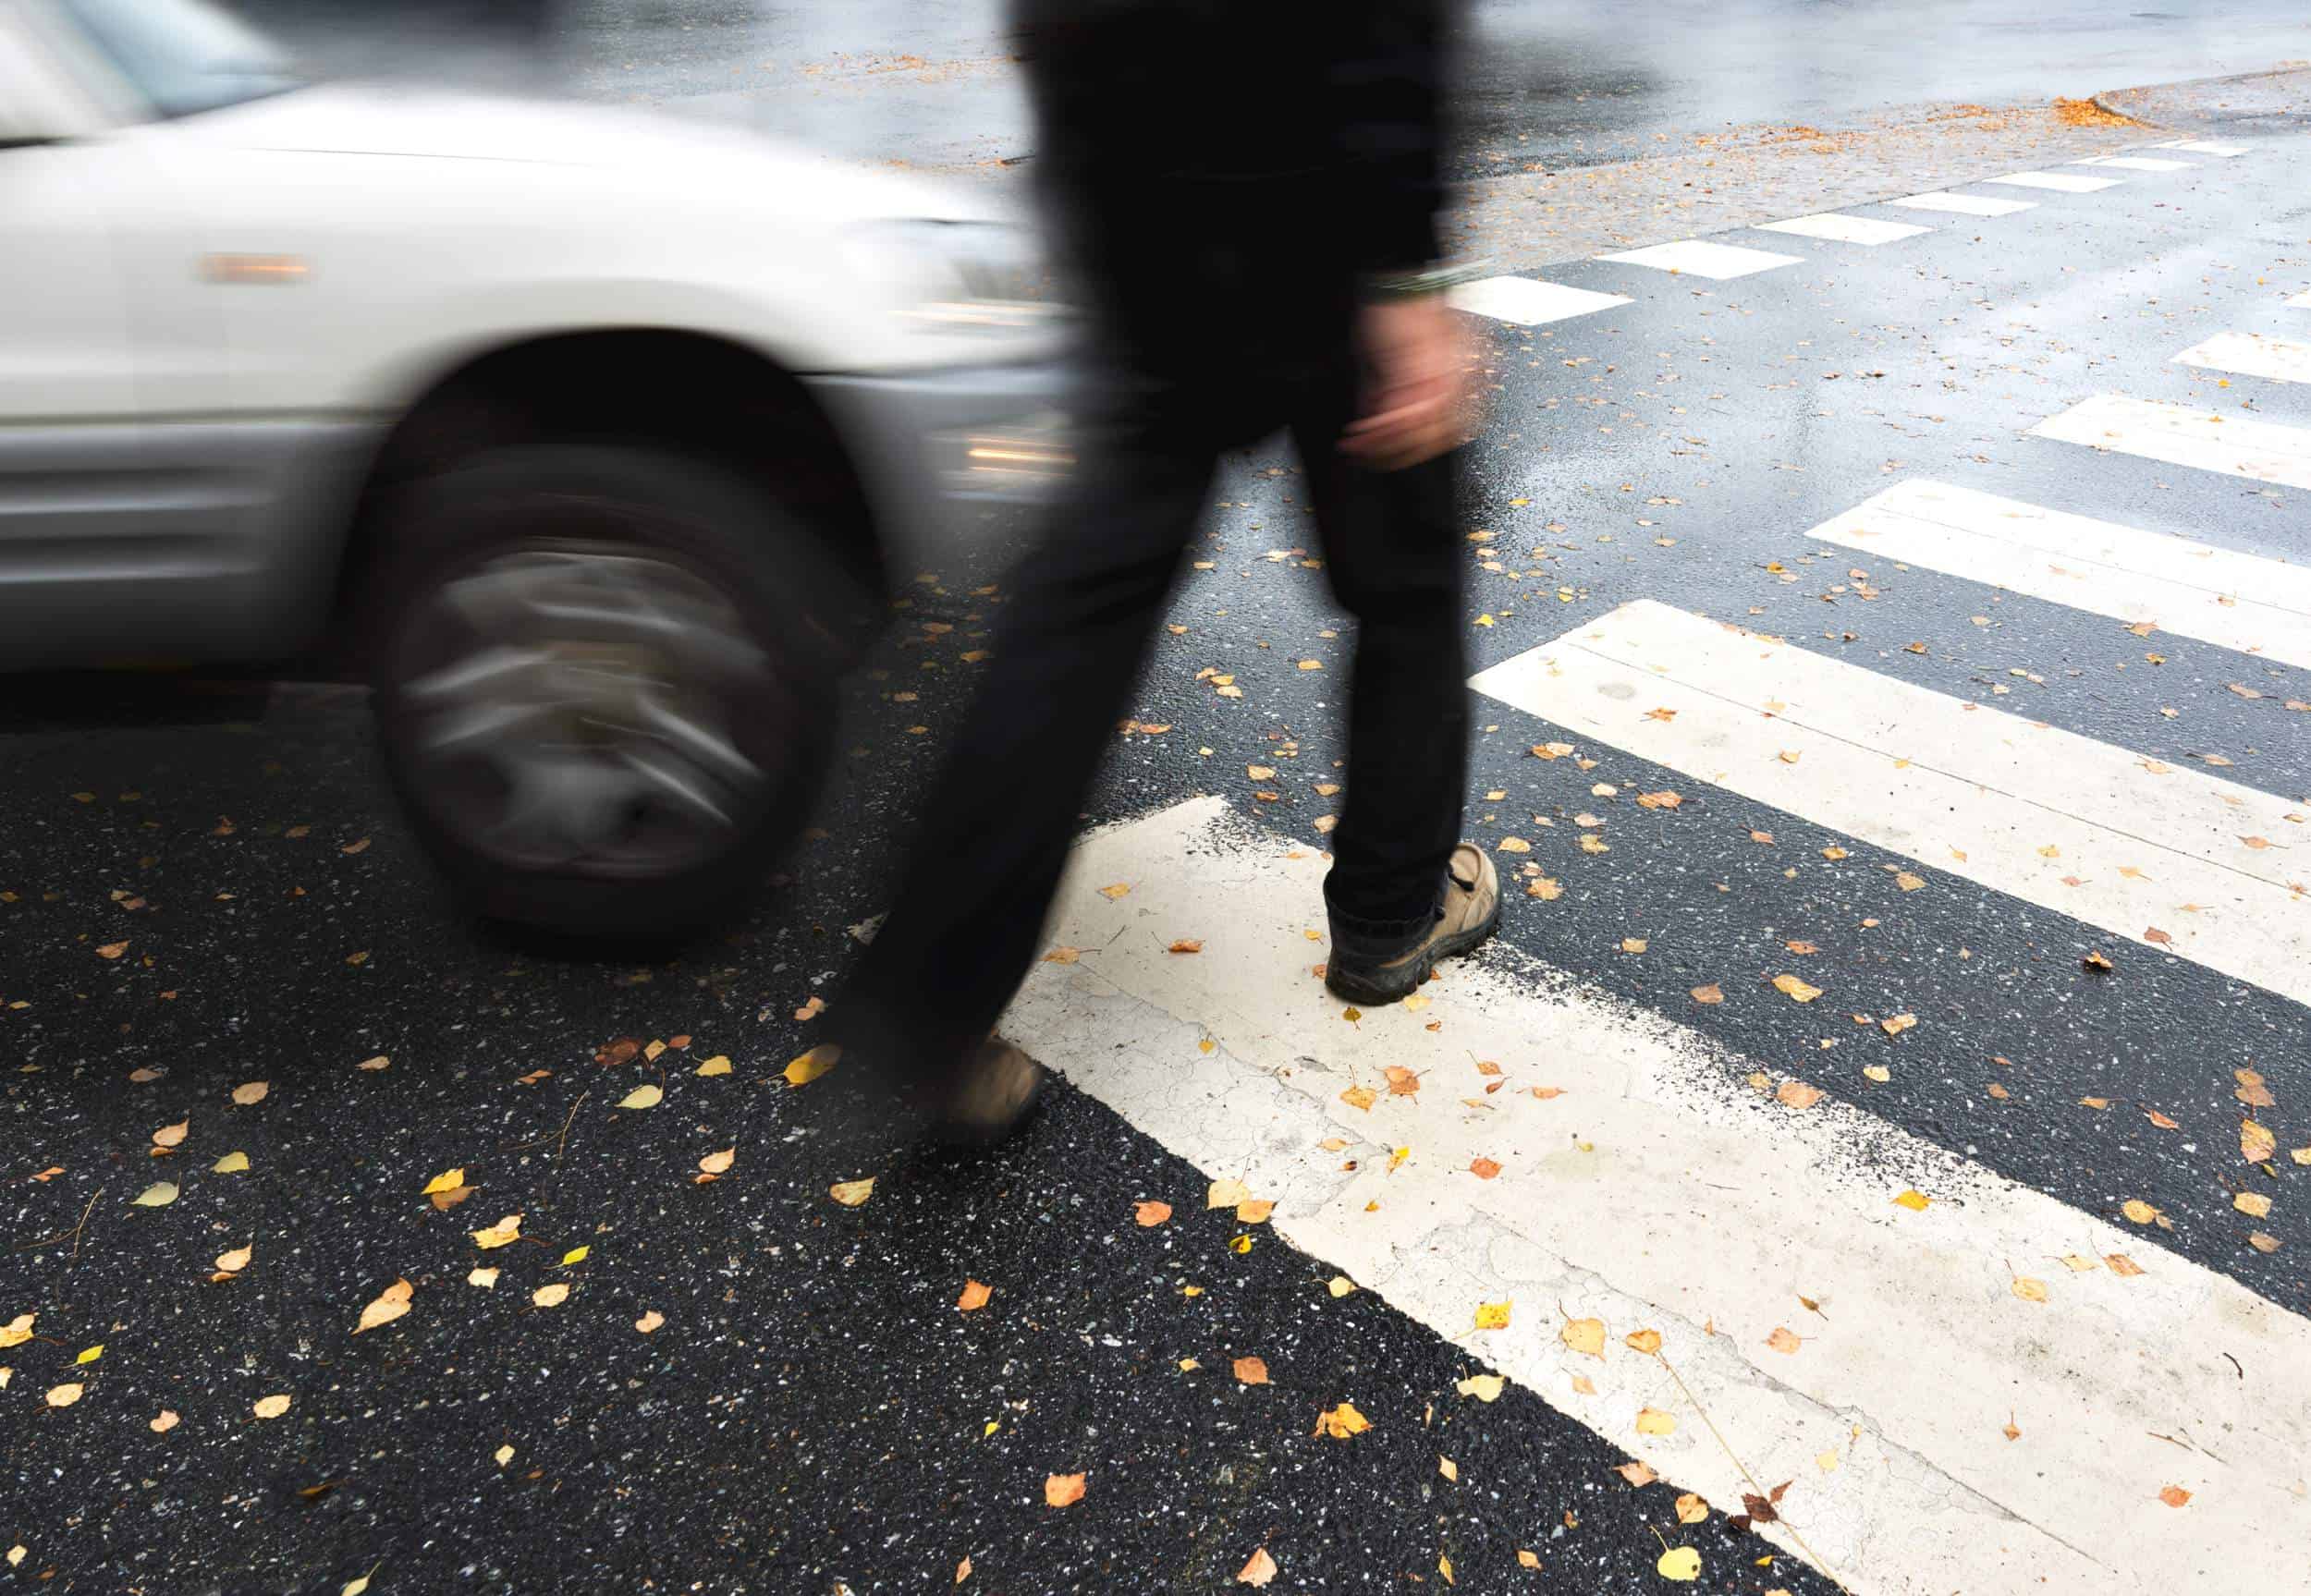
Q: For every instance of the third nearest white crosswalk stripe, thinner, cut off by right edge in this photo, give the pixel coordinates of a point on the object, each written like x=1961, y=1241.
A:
x=2192, y=590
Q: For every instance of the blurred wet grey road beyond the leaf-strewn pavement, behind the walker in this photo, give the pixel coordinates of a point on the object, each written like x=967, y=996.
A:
x=1547, y=84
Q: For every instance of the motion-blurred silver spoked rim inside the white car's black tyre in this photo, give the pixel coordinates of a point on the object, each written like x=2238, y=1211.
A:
x=570, y=710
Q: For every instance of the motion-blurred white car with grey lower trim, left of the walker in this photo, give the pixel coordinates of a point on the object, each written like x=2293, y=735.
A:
x=584, y=435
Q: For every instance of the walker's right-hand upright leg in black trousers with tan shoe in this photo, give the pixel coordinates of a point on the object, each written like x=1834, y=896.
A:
x=1395, y=558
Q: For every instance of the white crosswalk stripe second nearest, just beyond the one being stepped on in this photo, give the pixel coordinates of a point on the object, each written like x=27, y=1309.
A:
x=2046, y=816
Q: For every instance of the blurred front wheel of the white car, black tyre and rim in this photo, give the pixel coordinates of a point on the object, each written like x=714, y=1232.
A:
x=600, y=685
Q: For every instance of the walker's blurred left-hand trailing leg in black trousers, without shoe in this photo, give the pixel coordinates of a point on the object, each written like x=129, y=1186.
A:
x=1002, y=816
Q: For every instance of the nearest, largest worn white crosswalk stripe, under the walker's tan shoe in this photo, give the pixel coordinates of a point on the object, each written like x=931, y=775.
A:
x=1660, y=1193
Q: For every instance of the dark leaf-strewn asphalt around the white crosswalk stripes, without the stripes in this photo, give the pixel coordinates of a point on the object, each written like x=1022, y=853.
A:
x=810, y=1408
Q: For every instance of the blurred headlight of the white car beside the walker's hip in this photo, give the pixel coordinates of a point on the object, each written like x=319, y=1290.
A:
x=958, y=276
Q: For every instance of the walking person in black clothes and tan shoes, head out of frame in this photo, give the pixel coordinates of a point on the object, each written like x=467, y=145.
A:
x=1247, y=195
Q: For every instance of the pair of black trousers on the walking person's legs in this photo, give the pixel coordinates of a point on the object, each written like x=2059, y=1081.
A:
x=997, y=830
